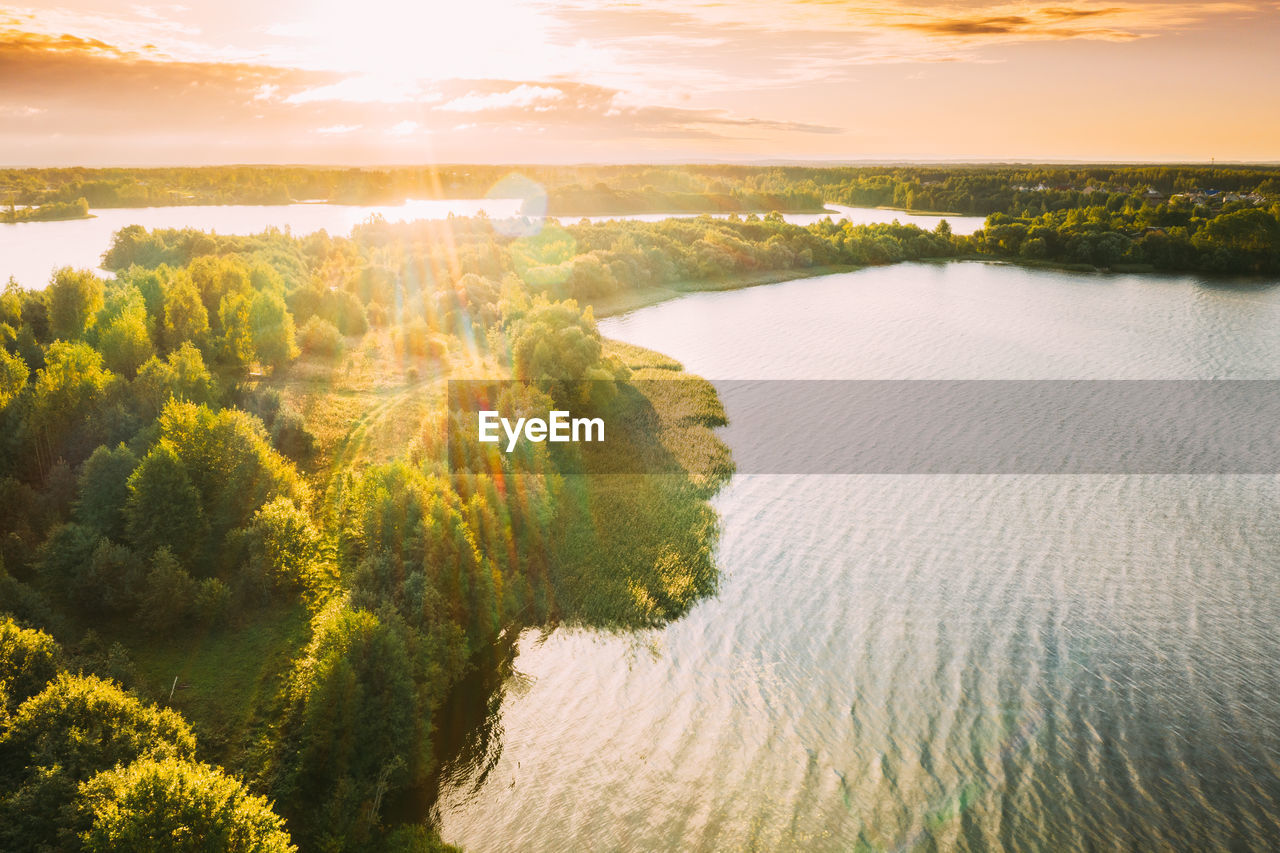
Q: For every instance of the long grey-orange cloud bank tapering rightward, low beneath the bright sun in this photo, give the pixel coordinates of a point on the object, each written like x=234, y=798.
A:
x=70, y=94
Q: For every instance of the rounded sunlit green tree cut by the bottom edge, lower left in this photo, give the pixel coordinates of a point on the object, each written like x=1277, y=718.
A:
x=176, y=808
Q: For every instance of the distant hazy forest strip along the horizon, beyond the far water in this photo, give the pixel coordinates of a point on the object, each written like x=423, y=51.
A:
x=602, y=190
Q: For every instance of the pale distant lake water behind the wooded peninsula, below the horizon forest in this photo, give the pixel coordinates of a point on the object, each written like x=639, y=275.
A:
x=31, y=252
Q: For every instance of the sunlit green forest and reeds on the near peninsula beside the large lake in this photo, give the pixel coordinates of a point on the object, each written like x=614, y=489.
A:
x=241, y=573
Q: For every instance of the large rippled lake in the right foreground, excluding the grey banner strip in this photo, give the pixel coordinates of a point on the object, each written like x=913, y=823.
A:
x=927, y=663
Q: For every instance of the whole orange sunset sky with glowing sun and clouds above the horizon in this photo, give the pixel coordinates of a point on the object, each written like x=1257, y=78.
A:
x=382, y=81
